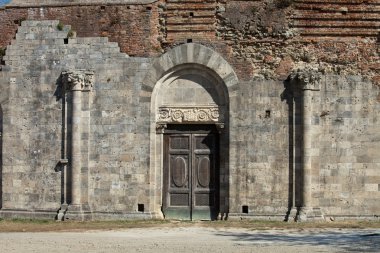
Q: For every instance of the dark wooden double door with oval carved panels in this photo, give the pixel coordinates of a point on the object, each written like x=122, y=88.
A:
x=191, y=169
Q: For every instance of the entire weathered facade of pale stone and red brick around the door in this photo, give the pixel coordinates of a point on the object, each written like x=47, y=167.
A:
x=295, y=105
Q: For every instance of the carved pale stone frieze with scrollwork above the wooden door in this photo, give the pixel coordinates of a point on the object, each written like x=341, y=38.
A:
x=202, y=114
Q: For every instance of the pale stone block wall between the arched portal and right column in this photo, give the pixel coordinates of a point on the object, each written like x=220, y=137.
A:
x=260, y=162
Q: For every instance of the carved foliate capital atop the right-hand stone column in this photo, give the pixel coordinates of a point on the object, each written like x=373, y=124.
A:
x=306, y=79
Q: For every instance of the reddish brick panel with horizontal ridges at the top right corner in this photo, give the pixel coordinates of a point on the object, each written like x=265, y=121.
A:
x=339, y=18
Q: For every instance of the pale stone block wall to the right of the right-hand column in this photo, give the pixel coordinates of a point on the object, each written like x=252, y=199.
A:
x=348, y=178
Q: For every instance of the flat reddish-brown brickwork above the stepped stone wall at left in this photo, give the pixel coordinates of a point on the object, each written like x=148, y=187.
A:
x=134, y=27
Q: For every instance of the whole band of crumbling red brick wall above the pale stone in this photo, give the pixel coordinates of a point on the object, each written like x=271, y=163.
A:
x=261, y=38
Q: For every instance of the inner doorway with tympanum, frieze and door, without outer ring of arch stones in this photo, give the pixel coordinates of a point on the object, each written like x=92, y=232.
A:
x=190, y=104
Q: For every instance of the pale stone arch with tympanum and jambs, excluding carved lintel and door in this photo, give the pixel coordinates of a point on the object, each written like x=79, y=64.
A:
x=198, y=68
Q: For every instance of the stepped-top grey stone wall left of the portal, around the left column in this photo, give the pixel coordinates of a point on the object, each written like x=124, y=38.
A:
x=34, y=128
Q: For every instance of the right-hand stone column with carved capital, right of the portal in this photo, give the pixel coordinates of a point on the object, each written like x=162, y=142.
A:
x=306, y=85
